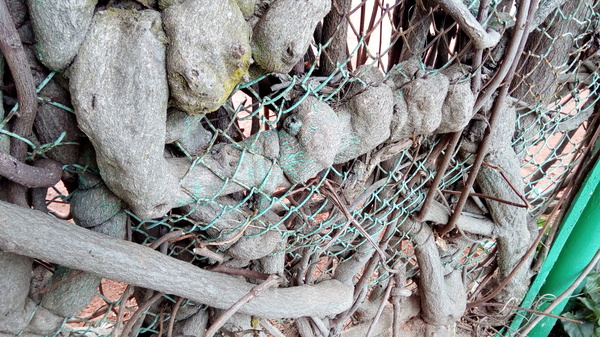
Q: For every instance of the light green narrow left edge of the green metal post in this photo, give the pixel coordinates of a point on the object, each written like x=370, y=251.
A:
x=572, y=217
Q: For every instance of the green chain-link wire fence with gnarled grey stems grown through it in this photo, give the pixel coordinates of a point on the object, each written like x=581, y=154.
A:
x=298, y=175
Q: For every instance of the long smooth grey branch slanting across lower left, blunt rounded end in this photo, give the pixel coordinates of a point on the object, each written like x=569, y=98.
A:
x=32, y=233
